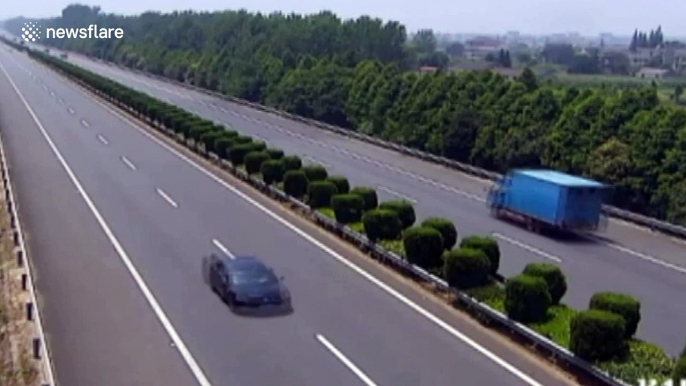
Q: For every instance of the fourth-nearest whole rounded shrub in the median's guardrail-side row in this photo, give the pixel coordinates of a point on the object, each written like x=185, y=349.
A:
x=423, y=246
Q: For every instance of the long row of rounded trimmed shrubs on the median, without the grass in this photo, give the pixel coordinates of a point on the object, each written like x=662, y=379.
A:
x=596, y=334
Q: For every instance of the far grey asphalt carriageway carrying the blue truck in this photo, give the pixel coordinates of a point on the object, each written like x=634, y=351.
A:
x=624, y=258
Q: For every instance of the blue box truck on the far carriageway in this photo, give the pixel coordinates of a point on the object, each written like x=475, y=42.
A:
x=548, y=199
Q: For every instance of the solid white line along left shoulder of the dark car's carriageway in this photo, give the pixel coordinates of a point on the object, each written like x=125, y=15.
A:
x=159, y=312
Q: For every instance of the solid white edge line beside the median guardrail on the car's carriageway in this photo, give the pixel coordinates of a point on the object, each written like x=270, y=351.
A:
x=352, y=266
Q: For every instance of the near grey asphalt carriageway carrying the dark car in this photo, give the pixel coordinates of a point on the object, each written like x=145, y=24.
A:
x=118, y=222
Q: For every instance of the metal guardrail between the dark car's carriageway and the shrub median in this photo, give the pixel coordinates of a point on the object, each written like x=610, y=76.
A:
x=539, y=342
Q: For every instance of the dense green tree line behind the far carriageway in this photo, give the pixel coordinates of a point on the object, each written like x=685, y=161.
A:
x=359, y=74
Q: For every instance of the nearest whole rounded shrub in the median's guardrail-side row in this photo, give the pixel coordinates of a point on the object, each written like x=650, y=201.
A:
x=597, y=335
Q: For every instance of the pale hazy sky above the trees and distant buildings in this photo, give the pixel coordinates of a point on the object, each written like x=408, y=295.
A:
x=588, y=17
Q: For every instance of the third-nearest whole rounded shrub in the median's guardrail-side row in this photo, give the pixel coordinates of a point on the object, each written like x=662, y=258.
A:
x=466, y=268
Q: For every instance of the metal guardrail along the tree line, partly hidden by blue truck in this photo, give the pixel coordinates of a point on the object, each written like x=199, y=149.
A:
x=652, y=223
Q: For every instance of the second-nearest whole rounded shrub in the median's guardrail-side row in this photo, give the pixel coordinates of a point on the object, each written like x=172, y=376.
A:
x=527, y=298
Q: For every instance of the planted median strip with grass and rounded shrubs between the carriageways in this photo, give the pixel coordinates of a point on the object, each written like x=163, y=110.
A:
x=602, y=334
